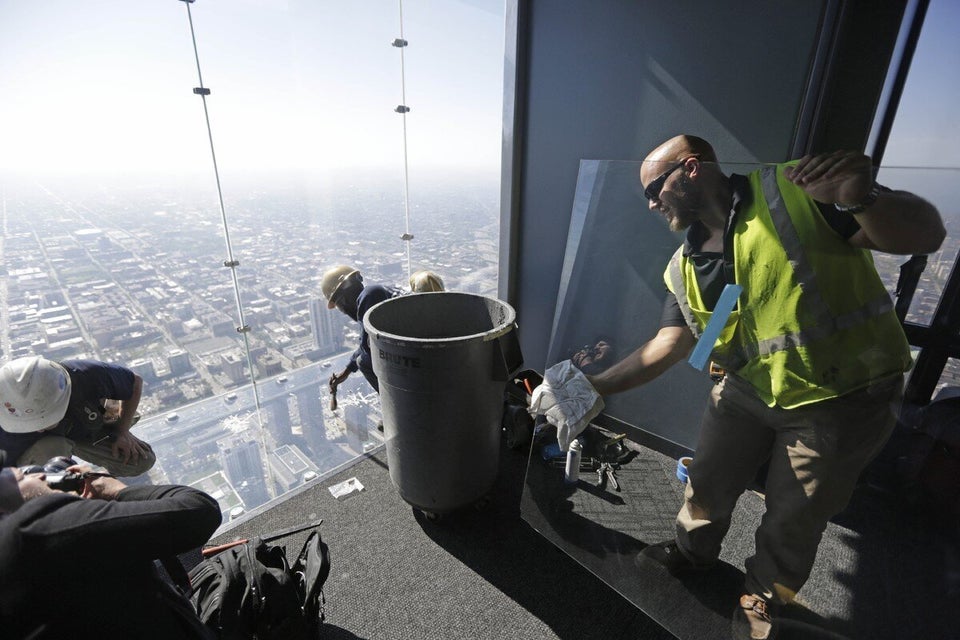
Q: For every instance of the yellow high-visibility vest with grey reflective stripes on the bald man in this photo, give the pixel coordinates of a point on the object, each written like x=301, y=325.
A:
x=814, y=321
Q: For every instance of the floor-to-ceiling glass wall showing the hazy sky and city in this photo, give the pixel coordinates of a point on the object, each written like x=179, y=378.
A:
x=114, y=240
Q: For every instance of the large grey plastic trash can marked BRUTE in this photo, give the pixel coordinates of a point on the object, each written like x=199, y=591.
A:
x=442, y=360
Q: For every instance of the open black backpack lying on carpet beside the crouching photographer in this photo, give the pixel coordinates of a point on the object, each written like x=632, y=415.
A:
x=250, y=591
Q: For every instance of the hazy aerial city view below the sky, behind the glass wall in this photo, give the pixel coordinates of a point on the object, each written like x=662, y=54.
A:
x=136, y=277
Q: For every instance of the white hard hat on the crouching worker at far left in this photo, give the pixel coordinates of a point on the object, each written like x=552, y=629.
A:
x=34, y=393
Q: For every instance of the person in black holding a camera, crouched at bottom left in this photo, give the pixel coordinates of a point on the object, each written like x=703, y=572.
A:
x=83, y=565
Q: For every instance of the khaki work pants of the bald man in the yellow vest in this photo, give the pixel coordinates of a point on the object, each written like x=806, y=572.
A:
x=816, y=454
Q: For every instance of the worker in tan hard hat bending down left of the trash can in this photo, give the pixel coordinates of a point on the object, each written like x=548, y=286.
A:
x=343, y=288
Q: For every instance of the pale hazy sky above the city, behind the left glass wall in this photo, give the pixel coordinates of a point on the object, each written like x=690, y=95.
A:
x=295, y=83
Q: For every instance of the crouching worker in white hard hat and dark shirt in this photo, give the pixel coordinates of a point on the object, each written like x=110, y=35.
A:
x=50, y=409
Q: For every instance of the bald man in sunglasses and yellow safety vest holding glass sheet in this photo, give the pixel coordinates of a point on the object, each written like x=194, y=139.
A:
x=813, y=352
